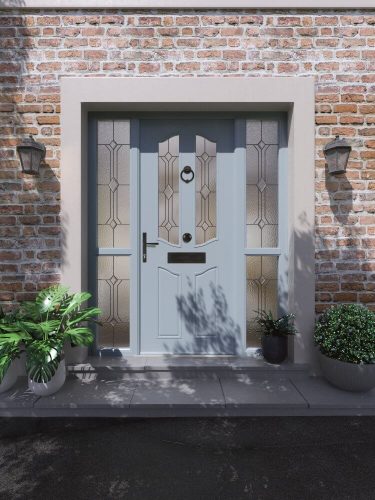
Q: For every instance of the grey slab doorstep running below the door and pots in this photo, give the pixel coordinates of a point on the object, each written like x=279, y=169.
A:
x=177, y=388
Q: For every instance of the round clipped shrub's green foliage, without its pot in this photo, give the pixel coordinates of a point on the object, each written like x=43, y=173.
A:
x=347, y=333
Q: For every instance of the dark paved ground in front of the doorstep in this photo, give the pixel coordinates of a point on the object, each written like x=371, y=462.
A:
x=279, y=458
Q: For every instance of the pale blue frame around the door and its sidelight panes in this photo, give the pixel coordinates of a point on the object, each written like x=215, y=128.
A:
x=134, y=252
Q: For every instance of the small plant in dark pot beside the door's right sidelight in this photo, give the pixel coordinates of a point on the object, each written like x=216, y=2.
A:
x=275, y=332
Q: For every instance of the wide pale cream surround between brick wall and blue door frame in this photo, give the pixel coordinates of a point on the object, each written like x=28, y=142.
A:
x=294, y=95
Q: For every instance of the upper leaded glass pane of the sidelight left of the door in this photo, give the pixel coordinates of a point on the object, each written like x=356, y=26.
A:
x=113, y=190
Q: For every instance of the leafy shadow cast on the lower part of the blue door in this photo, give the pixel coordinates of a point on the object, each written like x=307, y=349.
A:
x=211, y=328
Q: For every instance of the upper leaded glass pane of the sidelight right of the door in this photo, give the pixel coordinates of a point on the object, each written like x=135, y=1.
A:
x=262, y=147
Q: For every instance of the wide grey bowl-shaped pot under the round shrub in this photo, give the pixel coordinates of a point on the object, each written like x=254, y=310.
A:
x=348, y=376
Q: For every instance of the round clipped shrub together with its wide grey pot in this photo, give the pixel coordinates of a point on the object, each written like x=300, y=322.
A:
x=345, y=335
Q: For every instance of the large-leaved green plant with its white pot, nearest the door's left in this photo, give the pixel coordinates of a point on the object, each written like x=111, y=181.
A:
x=54, y=318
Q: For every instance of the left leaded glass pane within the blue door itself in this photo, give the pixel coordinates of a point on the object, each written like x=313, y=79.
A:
x=168, y=190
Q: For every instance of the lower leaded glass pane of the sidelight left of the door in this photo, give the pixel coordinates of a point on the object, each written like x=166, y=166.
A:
x=113, y=295
